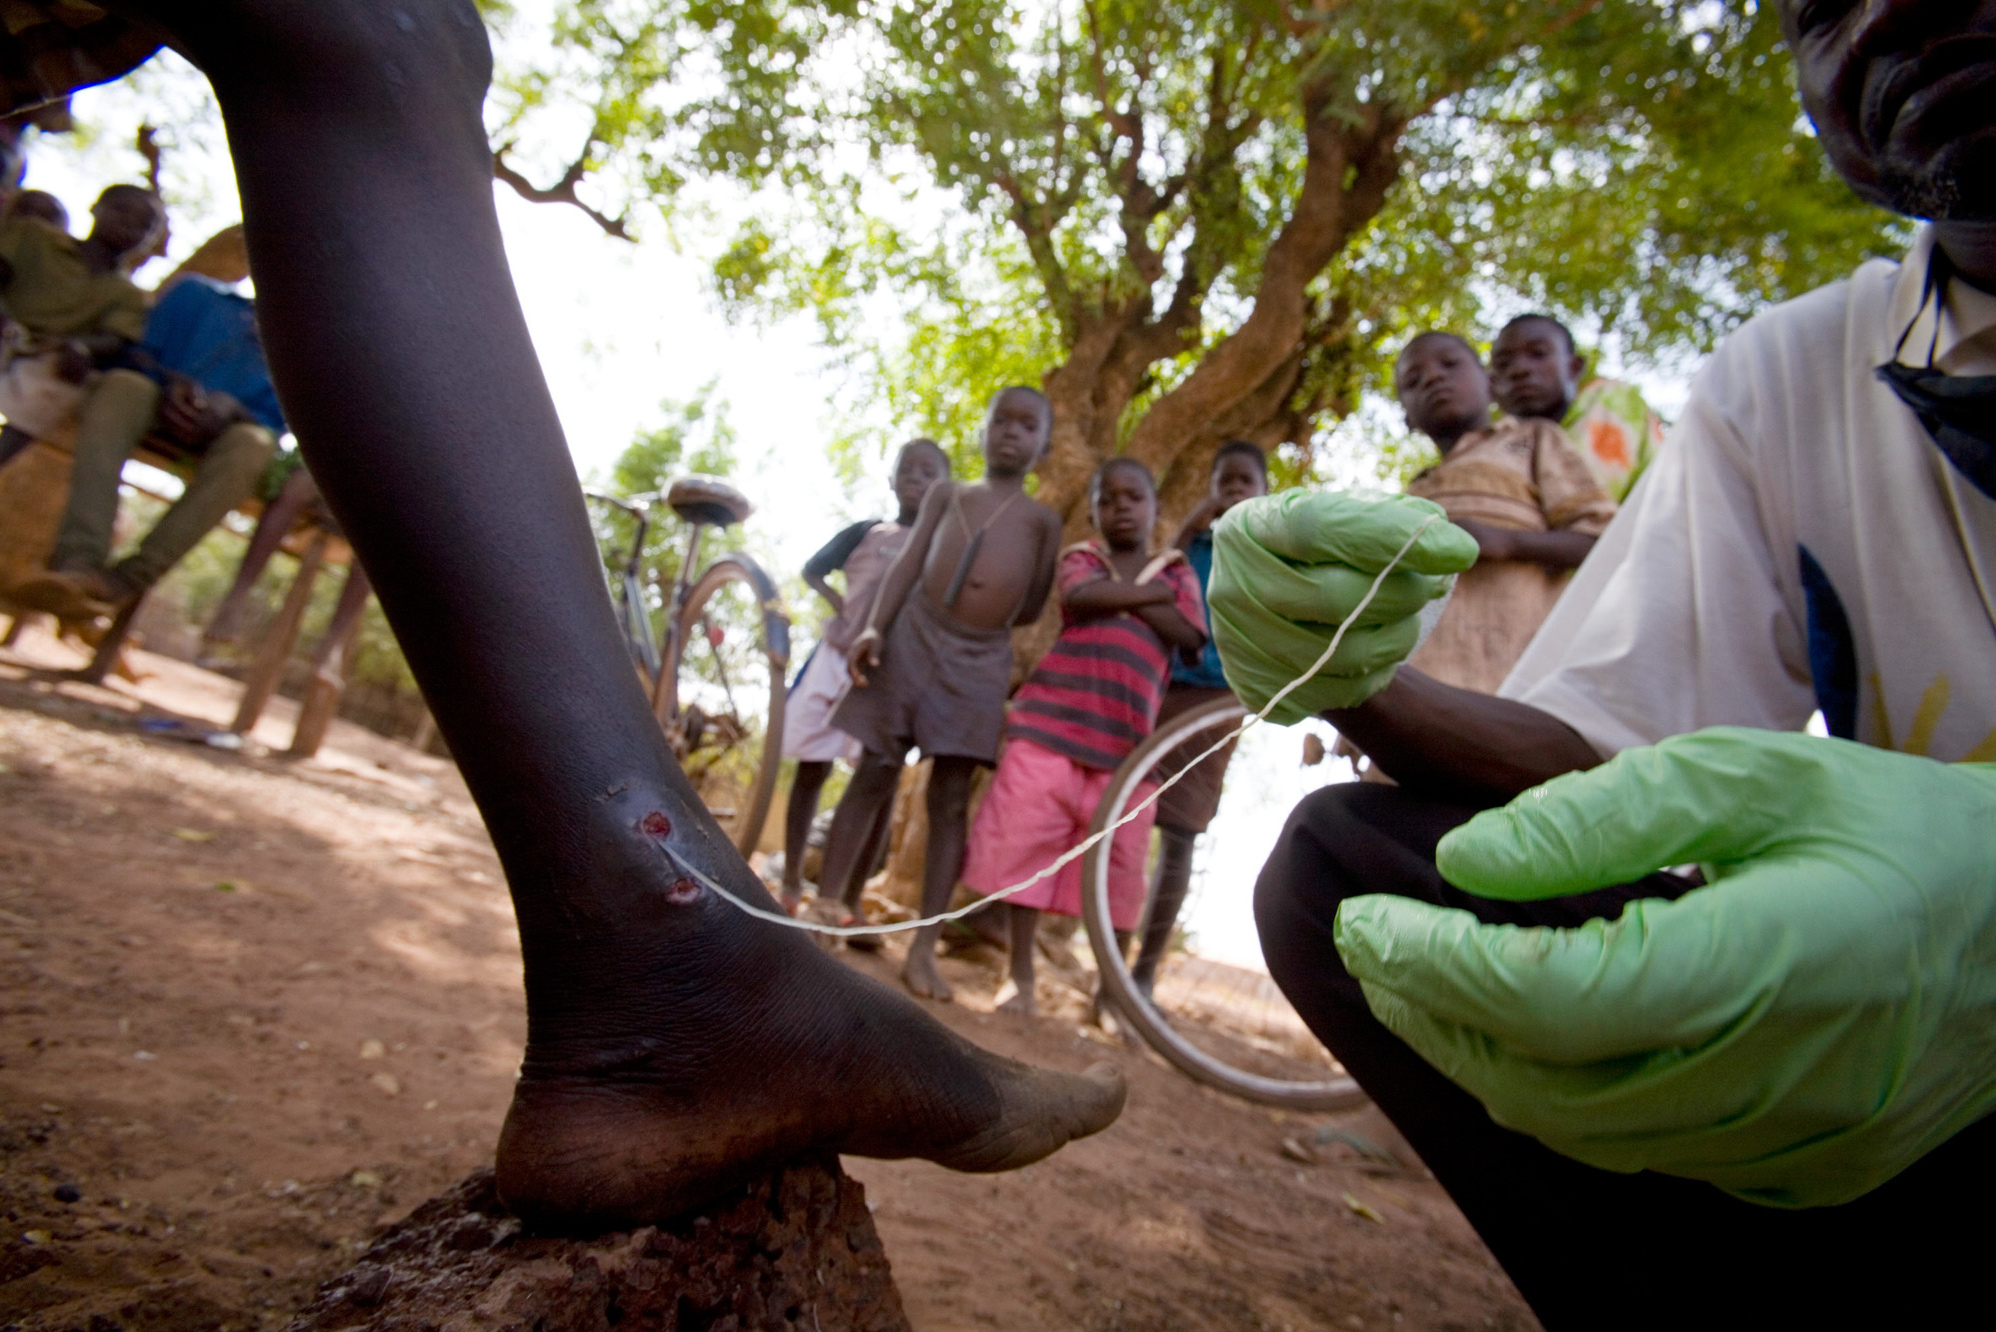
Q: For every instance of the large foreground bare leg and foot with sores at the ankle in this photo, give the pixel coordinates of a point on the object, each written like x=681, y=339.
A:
x=656, y=1013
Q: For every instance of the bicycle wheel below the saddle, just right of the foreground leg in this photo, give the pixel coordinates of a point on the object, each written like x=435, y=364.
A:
x=722, y=692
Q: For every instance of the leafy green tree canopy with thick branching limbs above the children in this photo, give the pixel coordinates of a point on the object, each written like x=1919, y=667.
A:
x=1209, y=219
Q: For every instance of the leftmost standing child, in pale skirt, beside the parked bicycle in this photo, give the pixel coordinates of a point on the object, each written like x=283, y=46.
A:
x=865, y=552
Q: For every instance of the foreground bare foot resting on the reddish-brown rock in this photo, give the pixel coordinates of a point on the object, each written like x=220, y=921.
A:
x=690, y=1047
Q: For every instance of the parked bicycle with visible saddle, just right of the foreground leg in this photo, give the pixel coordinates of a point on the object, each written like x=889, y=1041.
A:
x=724, y=748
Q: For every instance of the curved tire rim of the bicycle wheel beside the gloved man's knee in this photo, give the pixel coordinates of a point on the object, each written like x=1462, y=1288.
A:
x=1121, y=990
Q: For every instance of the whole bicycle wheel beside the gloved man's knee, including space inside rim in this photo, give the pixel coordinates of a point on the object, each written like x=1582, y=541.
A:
x=1248, y=1043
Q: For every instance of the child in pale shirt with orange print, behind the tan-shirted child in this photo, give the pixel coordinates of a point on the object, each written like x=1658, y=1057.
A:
x=1540, y=376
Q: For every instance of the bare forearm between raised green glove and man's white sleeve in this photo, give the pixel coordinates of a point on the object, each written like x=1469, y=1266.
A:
x=1460, y=744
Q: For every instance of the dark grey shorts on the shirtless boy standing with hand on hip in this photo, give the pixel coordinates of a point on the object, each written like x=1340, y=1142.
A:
x=941, y=688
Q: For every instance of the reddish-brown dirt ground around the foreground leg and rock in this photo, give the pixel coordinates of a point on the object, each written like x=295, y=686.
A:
x=254, y=1009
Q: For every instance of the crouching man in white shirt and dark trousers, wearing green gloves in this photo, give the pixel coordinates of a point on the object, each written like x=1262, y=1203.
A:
x=1821, y=536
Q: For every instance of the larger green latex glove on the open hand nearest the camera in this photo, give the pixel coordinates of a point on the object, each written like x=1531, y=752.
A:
x=1799, y=1031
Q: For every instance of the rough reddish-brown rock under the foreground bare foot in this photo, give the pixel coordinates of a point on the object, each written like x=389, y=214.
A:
x=791, y=1251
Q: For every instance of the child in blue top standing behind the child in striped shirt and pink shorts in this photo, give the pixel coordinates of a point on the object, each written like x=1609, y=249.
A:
x=1241, y=472
